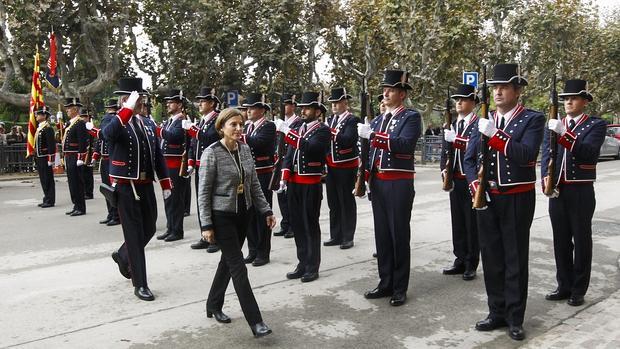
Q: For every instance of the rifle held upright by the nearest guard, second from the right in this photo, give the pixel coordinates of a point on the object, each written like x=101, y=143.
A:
x=480, y=199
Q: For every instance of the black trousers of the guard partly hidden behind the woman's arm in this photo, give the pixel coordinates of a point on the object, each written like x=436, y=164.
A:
x=259, y=234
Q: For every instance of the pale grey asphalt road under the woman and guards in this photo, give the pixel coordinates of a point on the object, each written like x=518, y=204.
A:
x=60, y=288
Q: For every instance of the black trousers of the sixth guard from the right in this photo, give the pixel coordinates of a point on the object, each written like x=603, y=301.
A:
x=304, y=200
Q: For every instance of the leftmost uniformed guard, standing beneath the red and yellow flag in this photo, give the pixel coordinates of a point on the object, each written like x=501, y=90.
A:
x=45, y=150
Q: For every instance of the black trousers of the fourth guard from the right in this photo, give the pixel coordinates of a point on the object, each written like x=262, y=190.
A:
x=392, y=204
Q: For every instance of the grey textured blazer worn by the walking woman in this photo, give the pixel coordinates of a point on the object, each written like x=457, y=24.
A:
x=218, y=182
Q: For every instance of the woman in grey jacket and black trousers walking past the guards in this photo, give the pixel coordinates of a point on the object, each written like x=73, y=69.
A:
x=228, y=187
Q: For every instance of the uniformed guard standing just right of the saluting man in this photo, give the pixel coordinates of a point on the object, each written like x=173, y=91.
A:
x=173, y=146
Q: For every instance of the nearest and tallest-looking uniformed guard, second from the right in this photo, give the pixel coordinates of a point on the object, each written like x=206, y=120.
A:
x=514, y=137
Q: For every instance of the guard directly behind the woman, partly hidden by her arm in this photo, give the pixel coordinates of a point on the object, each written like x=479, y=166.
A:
x=260, y=135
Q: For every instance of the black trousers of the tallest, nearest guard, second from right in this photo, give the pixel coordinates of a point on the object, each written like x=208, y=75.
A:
x=504, y=229
